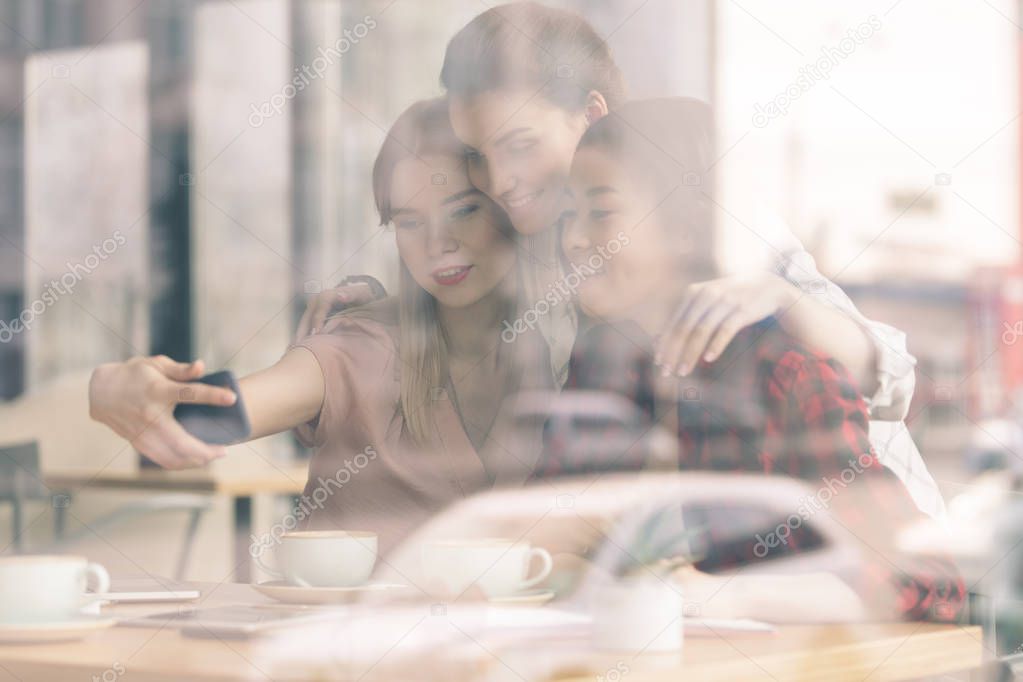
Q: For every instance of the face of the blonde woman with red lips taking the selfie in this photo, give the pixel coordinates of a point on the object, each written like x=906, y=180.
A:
x=453, y=240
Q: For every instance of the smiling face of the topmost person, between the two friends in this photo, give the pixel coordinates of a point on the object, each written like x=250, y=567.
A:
x=519, y=151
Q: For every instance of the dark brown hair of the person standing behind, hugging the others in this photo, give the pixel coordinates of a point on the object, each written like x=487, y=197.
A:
x=526, y=44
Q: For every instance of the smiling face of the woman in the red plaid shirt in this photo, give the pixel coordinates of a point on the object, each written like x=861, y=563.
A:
x=605, y=200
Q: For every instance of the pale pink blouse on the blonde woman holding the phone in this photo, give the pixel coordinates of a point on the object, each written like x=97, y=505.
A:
x=367, y=474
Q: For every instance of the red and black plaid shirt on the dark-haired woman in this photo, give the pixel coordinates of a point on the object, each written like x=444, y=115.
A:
x=772, y=406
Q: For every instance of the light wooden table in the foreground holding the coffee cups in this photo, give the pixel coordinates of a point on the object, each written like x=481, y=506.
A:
x=891, y=652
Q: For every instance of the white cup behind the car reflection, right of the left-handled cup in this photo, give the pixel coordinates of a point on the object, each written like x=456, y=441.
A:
x=499, y=567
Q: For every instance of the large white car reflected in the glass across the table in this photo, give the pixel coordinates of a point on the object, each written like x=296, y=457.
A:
x=617, y=524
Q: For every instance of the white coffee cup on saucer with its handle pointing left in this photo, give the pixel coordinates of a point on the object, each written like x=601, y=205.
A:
x=325, y=559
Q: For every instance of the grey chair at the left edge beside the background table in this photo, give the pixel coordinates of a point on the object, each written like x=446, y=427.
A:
x=21, y=482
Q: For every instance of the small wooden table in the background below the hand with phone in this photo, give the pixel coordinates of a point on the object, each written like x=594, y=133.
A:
x=240, y=486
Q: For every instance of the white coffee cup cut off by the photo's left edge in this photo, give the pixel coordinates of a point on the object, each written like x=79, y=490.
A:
x=49, y=588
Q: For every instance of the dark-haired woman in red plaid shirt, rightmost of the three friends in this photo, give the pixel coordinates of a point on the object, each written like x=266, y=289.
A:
x=767, y=404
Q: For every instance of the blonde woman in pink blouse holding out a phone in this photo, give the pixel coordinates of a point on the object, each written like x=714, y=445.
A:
x=403, y=396
